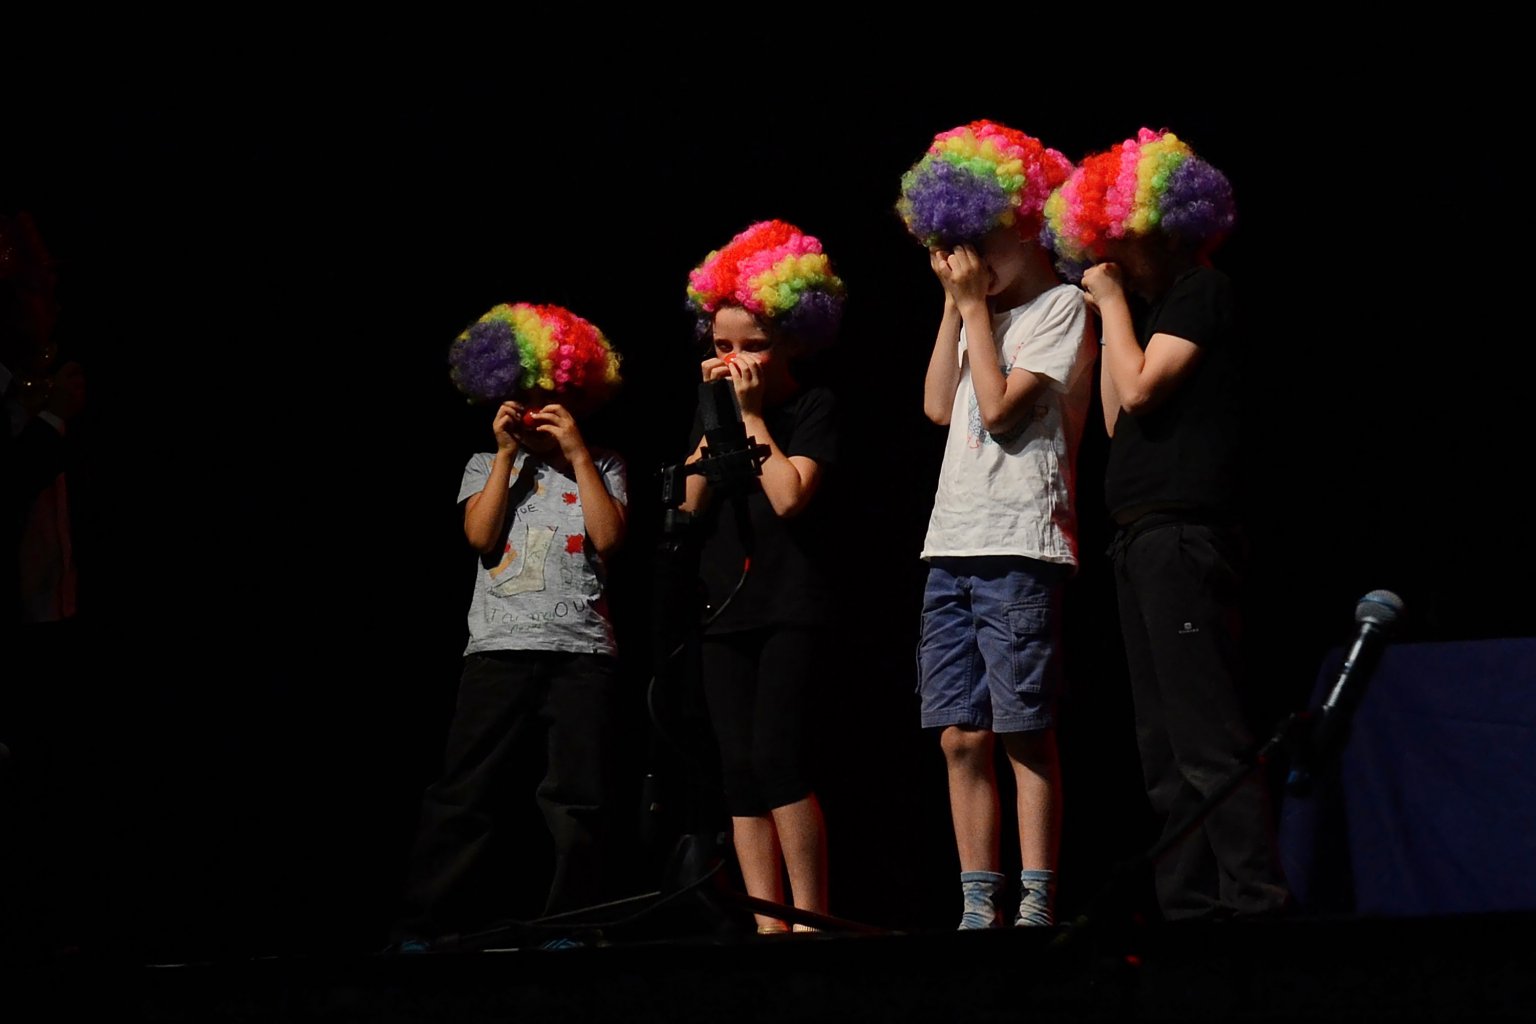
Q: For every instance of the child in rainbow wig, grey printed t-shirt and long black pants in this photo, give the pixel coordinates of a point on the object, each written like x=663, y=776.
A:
x=543, y=512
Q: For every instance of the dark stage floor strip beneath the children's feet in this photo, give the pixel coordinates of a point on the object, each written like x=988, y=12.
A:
x=1420, y=969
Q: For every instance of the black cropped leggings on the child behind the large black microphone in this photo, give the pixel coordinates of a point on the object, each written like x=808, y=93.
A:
x=760, y=685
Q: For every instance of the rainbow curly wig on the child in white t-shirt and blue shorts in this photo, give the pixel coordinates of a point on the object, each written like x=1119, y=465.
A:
x=975, y=179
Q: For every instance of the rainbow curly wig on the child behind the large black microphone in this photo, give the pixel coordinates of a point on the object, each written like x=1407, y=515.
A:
x=778, y=274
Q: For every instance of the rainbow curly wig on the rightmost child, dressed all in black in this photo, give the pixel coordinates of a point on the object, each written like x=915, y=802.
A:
x=1147, y=187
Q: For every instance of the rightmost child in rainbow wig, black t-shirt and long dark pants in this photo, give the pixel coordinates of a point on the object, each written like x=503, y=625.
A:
x=1145, y=217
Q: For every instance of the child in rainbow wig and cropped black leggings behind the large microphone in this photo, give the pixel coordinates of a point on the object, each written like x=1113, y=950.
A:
x=766, y=299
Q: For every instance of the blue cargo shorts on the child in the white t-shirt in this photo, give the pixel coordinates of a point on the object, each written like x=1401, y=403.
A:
x=990, y=650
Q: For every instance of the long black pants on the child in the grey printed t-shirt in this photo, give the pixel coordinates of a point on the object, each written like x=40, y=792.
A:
x=509, y=701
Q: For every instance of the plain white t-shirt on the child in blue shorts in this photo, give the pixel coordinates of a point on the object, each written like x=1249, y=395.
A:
x=1015, y=494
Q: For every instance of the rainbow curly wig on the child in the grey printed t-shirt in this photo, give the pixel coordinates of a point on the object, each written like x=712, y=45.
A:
x=515, y=352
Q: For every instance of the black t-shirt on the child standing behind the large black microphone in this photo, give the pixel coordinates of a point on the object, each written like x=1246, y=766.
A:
x=790, y=578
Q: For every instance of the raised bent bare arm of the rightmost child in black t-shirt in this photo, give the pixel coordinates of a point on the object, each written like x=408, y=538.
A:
x=1140, y=382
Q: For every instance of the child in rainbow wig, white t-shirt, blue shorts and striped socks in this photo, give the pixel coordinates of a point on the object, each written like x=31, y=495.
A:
x=1011, y=378
